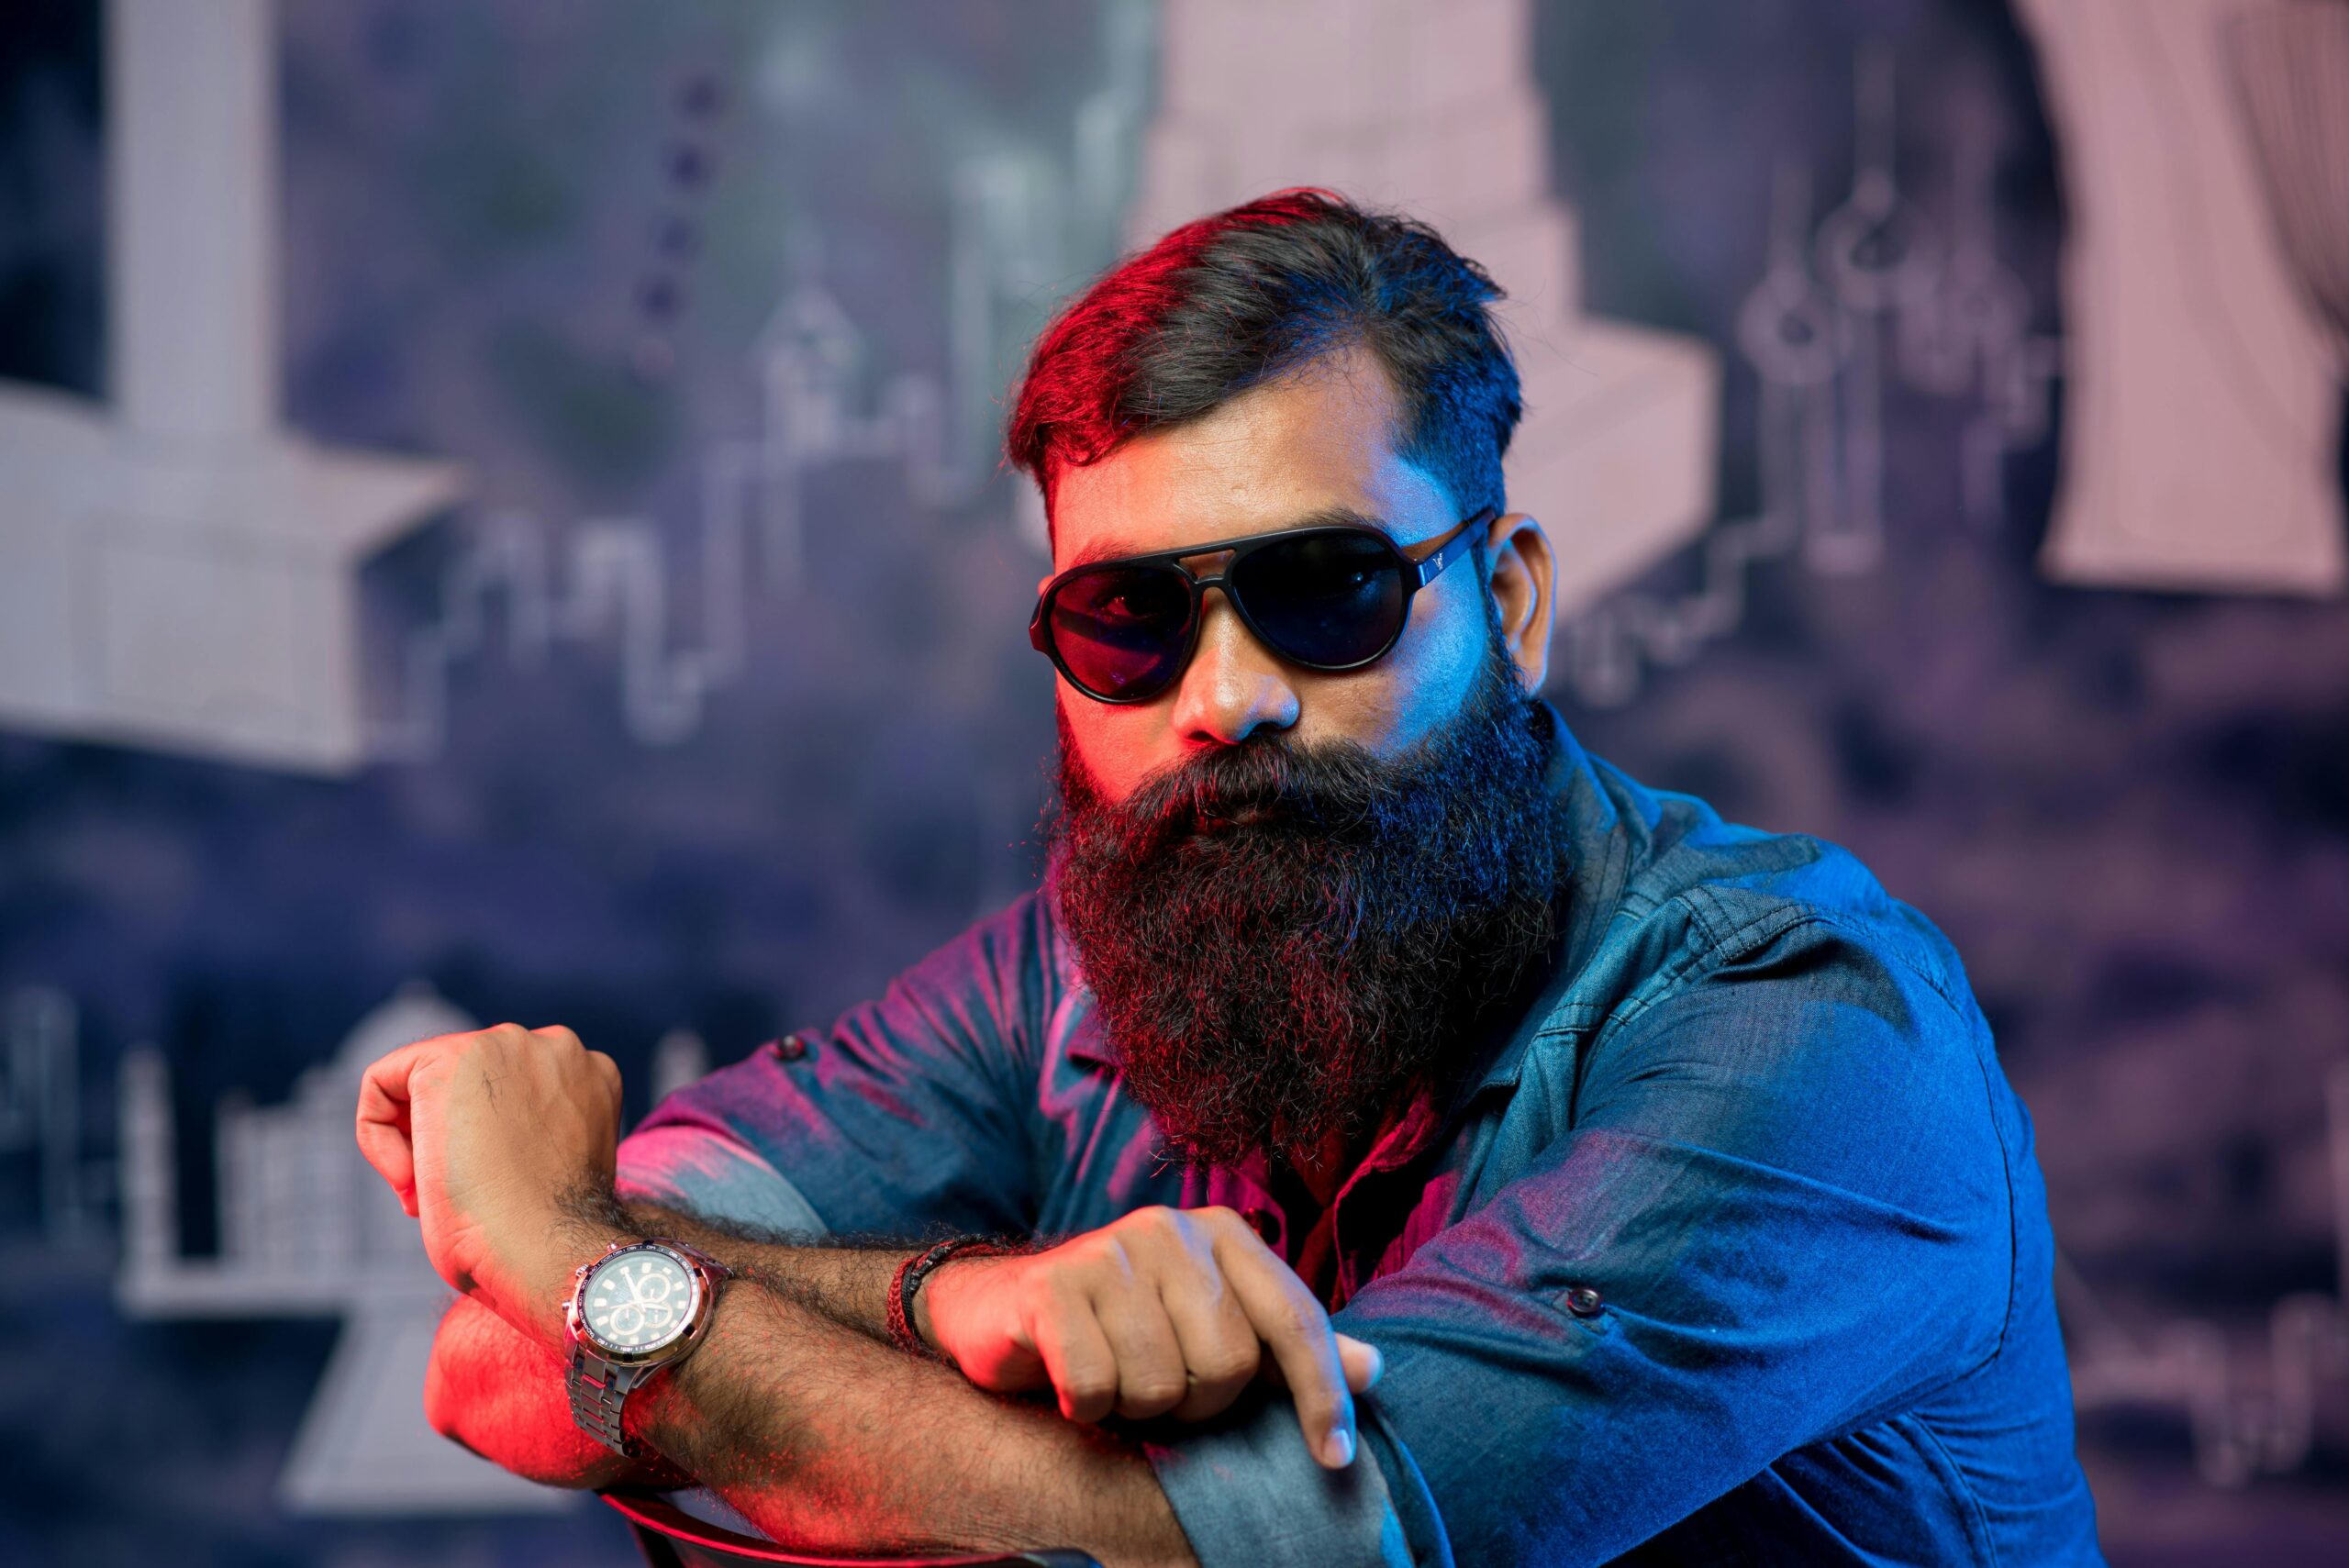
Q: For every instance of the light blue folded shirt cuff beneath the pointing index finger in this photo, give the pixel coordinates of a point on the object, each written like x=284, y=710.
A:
x=1248, y=1494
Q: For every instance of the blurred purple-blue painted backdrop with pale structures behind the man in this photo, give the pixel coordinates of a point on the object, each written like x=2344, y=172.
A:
x=502, y=520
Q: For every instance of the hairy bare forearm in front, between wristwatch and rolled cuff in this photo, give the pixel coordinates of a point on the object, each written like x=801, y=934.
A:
x=833, y=1440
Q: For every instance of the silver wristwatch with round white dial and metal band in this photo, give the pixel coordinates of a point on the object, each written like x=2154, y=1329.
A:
x=638, y=1309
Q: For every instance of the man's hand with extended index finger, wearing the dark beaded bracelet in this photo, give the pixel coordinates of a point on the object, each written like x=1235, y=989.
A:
x=1166, y=1311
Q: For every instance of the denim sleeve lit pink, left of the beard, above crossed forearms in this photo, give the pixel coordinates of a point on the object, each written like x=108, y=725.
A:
x=910, y=1116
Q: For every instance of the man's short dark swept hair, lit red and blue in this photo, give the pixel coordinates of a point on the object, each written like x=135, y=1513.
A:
x=1248, y=295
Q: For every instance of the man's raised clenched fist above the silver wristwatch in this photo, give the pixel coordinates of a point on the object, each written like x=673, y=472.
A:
x=485, y=1137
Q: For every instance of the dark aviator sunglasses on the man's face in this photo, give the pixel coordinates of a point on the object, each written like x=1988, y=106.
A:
x=1324, y=597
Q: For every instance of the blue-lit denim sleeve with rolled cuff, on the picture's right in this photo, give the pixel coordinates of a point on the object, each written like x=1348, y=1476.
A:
x=1779, y=1215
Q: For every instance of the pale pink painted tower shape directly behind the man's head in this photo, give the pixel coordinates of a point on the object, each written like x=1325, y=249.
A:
x=1434, y=109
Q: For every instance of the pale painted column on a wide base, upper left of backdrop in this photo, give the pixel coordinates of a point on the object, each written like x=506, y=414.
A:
x=177, y=569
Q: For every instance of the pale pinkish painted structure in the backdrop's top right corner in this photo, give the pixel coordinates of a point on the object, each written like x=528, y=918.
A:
x=2202, y=393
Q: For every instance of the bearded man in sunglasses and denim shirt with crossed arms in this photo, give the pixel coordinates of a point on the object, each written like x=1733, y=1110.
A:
x=1404, y=1137
